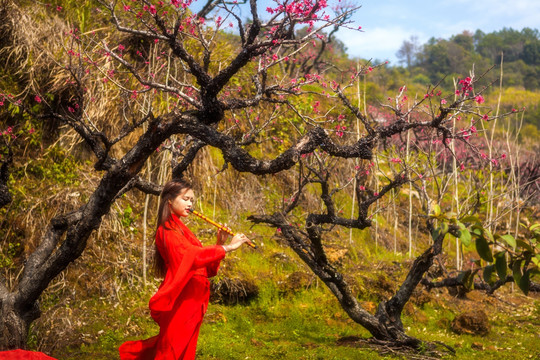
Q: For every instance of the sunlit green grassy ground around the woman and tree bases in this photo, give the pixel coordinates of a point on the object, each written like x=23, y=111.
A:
x=307, y=323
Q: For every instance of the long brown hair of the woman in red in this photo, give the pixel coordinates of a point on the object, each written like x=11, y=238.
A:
x=170, y=191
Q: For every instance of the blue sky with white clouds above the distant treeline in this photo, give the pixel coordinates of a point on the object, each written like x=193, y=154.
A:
x=387, y=23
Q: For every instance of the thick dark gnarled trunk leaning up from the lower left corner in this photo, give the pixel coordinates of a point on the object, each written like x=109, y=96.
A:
x=20, y=306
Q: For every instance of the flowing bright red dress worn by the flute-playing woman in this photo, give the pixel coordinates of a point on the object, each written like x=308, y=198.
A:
x=181, y=301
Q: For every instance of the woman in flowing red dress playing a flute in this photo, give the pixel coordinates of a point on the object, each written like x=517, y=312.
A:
x=185, y=265
